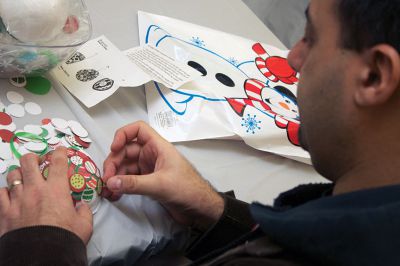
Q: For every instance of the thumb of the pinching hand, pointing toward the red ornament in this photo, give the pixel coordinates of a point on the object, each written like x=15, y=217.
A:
x=134, y=184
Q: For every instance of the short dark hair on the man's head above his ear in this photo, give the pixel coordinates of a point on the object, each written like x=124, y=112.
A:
x=365, y=23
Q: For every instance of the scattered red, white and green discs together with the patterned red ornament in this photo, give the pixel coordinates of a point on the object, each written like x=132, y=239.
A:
x=42, y=135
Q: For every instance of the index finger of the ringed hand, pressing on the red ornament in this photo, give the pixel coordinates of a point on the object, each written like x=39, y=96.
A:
x=59, y=168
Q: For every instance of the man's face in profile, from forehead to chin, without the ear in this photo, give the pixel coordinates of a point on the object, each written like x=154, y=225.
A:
x=323, y=92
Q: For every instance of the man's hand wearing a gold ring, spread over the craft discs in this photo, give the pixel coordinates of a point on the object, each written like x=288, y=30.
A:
x=42, y=202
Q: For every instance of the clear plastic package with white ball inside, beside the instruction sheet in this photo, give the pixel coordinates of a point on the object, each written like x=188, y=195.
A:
x=35, y=35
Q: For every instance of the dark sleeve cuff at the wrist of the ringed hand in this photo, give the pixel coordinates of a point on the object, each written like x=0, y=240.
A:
x=42, y=245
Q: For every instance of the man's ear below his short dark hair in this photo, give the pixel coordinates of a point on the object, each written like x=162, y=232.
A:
x=380, y=78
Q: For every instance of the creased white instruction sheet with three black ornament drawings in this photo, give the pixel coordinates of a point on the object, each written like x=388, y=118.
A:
x=99, y=68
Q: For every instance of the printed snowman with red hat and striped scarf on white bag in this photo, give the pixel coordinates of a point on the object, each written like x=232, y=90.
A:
x=259, y=83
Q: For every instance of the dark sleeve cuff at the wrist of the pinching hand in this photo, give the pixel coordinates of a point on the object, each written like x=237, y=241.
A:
x=235, y=221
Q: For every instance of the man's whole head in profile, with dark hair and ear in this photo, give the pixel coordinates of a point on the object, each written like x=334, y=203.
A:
x=348, y=91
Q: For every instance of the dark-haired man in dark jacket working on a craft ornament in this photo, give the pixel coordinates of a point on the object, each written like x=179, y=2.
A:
x=349, y=101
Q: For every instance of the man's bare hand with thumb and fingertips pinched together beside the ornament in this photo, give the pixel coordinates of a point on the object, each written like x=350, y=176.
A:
x=142, y=162
